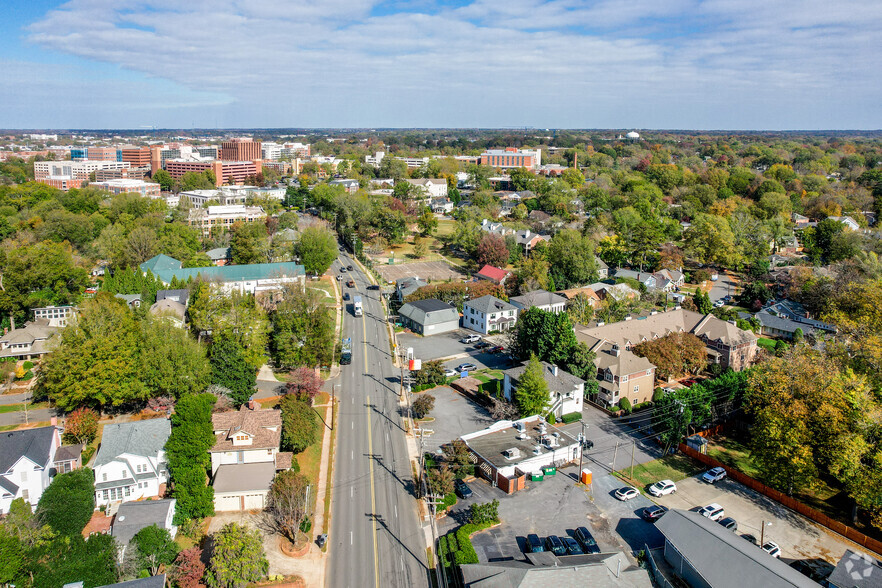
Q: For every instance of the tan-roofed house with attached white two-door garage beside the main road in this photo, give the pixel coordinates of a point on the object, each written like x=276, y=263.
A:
x=245, y=456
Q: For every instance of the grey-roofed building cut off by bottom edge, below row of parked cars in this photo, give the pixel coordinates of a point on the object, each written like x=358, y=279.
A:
x=607, y=570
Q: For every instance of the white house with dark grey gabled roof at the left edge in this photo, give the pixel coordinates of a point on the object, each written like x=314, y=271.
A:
x=26, y=464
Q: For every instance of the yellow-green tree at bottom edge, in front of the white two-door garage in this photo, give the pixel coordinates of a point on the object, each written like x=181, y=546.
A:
x=237, y=557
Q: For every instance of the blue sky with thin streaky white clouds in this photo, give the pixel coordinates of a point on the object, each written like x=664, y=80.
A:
x=619, y=64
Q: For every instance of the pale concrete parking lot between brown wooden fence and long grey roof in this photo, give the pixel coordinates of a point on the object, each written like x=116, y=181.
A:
x=798, y=537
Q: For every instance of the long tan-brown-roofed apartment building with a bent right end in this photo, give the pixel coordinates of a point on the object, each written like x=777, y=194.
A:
x=726, y=344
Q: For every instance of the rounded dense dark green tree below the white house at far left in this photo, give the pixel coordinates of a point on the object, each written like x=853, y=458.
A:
x=67, y=503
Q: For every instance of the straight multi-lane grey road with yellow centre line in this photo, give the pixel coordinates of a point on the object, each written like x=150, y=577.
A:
x=375, y=538
